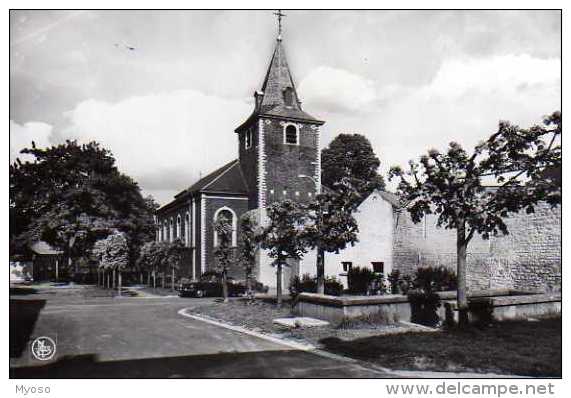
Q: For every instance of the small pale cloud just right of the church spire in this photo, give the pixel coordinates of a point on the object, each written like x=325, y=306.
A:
x=337, y=90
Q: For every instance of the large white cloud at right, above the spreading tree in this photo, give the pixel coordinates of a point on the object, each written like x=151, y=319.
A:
x=463, y=103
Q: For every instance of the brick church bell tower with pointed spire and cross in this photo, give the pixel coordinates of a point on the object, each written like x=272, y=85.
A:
x=279, y=142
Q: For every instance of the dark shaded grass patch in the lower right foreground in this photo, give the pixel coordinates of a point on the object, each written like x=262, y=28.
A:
x=511, y=347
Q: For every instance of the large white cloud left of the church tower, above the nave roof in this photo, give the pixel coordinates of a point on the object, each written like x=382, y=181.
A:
x=164, y=141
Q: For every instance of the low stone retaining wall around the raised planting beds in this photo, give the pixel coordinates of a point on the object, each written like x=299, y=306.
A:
x=507, y=304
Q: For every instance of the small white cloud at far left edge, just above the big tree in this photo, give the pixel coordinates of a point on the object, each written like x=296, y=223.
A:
x=21, y=136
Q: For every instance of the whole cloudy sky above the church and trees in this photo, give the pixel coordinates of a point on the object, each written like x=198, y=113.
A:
x=164, y=90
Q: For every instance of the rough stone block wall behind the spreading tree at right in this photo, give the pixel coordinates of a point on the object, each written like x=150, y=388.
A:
x=528, y=258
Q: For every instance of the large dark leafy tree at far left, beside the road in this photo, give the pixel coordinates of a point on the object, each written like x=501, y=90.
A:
x=71, y=195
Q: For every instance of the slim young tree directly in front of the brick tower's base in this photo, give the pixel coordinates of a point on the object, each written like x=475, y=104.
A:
x=283, y=238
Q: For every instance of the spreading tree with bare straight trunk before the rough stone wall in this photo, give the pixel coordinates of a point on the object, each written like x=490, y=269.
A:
x=452, y=185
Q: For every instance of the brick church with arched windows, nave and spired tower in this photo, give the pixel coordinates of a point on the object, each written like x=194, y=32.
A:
x=279, y=158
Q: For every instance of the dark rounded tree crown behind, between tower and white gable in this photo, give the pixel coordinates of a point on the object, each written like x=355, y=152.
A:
x=351, y=156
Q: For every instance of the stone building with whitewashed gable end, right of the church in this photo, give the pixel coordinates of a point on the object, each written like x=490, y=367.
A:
x=529, y=257
